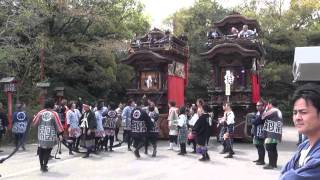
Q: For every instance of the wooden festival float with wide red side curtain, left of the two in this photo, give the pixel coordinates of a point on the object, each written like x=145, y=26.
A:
x=160, y=62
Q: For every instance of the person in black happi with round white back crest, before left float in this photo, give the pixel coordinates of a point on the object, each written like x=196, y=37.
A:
x=140, y=126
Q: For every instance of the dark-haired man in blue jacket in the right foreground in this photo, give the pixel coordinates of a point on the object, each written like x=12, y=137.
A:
x=305, y=164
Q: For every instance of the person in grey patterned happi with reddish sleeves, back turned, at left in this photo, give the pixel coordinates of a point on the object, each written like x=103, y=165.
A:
x=49, y=129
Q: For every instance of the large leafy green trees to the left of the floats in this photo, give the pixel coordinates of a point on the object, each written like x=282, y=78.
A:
x=79, y=38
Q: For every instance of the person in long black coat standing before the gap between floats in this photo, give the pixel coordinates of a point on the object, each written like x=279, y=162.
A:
x=201, y=130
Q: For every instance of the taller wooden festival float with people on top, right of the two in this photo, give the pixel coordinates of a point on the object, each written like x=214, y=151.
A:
x=239, y=59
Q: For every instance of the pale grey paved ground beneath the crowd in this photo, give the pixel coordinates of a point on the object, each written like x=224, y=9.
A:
x=122, y=164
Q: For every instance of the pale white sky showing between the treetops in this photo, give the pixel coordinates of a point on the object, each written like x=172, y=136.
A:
x=159, y=10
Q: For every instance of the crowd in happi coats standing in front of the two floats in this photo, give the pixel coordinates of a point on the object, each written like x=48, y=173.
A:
x=96, y=127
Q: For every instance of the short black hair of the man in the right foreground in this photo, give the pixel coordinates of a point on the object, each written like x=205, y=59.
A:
x=310, y=92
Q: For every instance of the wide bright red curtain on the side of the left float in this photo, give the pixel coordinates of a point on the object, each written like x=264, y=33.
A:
x=176, y=90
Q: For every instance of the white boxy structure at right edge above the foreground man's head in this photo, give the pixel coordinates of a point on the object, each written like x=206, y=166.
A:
x=306, y=65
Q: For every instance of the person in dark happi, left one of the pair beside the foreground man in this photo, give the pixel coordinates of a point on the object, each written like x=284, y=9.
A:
x=258, y=137
